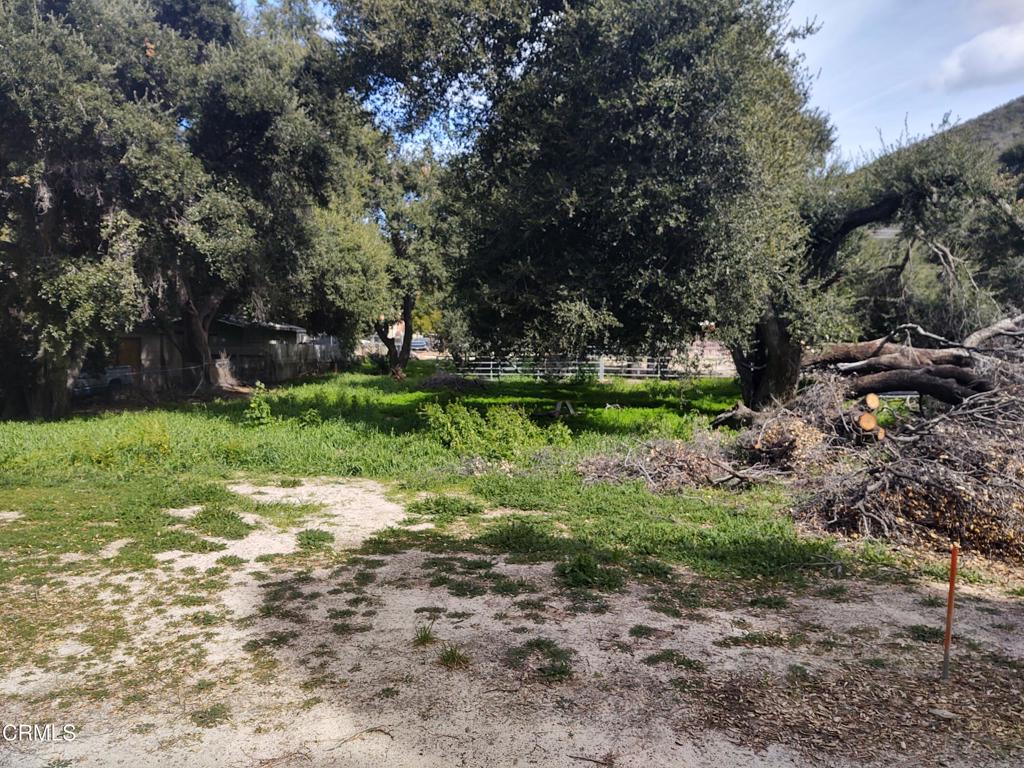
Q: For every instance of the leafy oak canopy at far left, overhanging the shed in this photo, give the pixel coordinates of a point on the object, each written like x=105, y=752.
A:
x=169, y=152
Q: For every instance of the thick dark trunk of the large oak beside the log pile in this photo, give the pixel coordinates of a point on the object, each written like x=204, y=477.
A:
x=770, y=371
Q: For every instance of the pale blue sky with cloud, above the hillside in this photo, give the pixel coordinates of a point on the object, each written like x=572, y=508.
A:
x=891, y=68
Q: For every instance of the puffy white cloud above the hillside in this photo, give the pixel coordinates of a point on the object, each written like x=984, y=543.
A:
x=992, y=58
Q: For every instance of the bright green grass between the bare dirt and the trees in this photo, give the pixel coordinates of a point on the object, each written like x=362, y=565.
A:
x=82, y=484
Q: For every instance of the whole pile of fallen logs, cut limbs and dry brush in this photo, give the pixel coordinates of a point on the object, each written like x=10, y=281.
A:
x=953, y=470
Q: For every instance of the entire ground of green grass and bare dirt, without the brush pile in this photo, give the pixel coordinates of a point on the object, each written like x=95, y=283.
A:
x=321, y=553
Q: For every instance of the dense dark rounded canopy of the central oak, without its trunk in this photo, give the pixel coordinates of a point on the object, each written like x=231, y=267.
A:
x=637, y=177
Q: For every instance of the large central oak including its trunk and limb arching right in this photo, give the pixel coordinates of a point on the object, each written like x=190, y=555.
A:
x=642, y=168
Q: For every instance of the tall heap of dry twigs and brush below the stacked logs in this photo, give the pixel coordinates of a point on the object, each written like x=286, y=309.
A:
x=958, y=477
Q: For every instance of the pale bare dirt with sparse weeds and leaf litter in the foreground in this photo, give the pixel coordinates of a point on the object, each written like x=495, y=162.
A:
x=311, y=662
